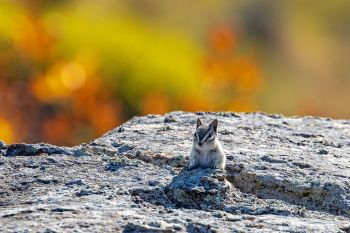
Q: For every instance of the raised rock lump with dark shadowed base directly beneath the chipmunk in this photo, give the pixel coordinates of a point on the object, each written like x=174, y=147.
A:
x=208, y=189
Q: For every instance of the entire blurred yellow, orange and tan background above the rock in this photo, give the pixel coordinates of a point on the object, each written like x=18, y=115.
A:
x=71, y=70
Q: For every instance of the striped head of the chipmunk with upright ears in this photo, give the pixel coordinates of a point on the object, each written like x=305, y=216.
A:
x=205, y=135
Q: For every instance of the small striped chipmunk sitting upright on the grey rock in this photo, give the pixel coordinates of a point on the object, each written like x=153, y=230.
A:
x=206, y=149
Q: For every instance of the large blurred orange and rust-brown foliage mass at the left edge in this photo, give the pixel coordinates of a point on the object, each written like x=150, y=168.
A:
x=64, y=103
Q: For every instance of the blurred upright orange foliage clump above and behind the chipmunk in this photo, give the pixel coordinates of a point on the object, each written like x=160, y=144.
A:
x=231, y=79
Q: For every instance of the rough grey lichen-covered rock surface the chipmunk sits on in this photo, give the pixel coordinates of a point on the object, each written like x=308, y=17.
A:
x=282, y=174
